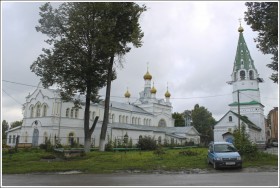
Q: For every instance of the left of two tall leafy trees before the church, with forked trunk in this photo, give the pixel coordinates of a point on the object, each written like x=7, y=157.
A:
x=73, y=61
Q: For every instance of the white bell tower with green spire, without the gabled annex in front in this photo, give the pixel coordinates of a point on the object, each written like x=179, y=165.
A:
x=245, y=83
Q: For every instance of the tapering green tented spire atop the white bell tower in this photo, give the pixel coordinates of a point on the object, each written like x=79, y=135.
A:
x=243, y=59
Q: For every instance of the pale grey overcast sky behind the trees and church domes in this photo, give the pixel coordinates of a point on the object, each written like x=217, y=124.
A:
x=189, y=45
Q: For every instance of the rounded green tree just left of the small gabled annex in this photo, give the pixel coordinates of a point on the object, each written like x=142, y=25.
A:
x=203, y=122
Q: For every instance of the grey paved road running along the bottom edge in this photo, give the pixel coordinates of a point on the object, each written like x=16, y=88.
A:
x=212, y=179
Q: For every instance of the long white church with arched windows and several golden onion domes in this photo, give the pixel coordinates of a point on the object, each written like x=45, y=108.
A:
x=47, y=116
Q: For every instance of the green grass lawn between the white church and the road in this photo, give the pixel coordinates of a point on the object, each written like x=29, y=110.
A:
x=109, y=162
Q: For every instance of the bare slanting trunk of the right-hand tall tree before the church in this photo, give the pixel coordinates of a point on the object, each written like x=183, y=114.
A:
x=107, y=104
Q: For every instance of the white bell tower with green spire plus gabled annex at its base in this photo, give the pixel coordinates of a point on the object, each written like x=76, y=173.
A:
x=246, y=108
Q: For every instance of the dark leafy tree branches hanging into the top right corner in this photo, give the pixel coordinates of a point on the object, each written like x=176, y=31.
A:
x=263, y=17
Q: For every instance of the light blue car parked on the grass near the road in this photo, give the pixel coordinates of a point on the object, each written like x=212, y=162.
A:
x=223, y=154
